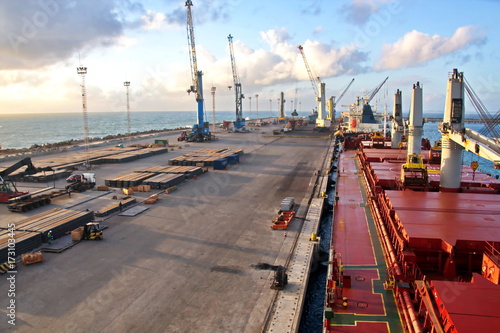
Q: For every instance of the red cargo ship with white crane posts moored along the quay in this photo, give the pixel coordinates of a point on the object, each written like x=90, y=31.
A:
x=415, y=241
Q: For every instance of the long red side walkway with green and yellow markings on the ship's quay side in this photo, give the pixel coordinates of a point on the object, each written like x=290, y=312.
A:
x=370, y=308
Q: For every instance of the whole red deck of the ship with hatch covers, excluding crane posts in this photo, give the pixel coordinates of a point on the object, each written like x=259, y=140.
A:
x=438, y=239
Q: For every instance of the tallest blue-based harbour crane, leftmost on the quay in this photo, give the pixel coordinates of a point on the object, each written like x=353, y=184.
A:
x=201, y=131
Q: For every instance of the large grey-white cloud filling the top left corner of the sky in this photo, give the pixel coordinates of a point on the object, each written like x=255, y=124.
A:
x=42, y=33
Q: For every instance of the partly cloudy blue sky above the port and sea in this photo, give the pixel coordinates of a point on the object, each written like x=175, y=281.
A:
x=42, y=42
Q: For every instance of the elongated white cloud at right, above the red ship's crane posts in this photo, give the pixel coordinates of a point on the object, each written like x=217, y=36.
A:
x=416, y=47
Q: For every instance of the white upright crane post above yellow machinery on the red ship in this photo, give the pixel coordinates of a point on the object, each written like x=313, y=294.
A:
x=415, y=127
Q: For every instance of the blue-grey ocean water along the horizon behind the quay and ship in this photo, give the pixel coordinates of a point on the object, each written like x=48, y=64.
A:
x=25, y=130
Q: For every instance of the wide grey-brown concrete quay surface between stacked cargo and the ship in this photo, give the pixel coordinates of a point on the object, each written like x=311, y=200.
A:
x=184, y=264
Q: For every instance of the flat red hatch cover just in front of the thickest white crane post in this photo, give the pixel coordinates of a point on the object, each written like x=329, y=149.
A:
x=449, y=217
